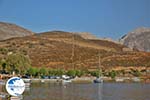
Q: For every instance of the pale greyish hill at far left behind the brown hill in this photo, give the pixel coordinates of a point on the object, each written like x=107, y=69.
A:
x=8, y=30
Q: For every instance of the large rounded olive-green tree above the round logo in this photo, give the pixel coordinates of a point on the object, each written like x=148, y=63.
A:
x=17, y=63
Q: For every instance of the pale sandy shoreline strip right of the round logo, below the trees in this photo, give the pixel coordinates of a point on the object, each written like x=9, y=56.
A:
x=90, y=80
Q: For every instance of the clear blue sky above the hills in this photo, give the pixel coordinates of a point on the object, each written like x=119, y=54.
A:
x=103, y=18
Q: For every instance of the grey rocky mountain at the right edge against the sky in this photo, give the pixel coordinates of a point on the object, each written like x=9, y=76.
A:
x=138, y=39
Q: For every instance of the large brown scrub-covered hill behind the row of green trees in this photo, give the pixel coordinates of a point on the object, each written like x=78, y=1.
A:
x=59, y=49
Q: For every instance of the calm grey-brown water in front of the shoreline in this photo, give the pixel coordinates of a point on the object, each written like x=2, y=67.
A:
x=105, y=91
